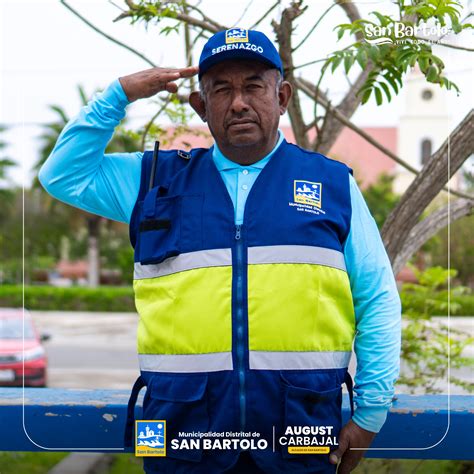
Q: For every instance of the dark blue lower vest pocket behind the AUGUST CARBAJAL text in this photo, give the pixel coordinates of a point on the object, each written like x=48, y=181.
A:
x=304, y=406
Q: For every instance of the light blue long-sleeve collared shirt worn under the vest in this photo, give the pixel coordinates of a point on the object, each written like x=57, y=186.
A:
x=79, y=173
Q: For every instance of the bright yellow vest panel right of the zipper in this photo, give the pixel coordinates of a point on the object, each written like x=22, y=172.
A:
x=299, y=307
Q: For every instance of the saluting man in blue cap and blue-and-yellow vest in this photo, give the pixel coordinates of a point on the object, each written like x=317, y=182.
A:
x=257, y=263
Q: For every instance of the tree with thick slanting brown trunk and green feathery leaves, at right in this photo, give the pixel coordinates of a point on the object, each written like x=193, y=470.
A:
x=382, y=63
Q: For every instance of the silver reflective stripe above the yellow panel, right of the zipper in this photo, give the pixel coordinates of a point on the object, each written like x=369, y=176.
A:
x=296, y=254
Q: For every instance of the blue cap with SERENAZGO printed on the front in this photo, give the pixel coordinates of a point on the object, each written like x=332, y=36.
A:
x=238, y=43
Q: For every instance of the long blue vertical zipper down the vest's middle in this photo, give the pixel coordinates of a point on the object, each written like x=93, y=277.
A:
x=239, y=301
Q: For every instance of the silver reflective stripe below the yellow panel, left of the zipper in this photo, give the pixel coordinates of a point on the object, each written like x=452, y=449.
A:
x=186, y=363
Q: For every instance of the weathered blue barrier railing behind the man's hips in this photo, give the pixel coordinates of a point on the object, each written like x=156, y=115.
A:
x=93, y=420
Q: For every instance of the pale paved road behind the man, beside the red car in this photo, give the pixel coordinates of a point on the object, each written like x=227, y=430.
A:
x=97, y=350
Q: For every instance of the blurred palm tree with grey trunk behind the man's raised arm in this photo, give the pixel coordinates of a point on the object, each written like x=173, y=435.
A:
x=121, y=141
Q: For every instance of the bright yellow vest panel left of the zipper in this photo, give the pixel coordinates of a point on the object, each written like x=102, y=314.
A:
x=185, y=313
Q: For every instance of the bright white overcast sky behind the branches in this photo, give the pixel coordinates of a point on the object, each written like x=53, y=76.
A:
x=45, y=52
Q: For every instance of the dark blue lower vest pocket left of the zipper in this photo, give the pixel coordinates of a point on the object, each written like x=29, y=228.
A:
x=180, y=399
